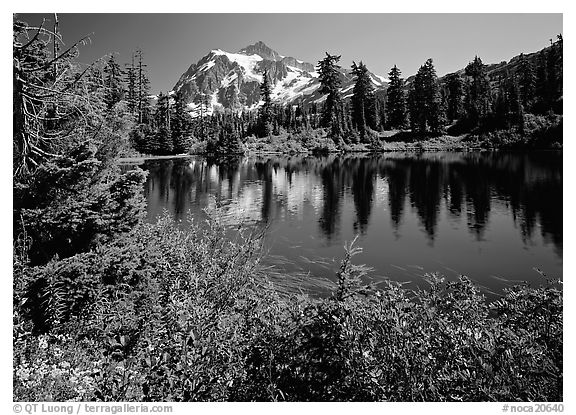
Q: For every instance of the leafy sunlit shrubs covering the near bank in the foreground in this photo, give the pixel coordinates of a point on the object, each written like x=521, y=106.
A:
x=172, y=315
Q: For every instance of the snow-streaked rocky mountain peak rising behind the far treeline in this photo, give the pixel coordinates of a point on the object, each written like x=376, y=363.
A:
x=224, y=80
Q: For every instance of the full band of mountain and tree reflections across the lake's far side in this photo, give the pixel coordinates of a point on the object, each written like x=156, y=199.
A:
x=466, y=185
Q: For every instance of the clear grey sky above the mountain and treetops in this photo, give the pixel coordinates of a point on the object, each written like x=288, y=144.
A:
x=171, y=42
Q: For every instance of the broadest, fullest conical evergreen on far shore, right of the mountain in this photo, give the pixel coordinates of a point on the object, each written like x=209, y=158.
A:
x=425, y=104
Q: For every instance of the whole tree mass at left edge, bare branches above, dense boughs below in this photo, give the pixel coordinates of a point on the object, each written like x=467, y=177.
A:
x=69, y=193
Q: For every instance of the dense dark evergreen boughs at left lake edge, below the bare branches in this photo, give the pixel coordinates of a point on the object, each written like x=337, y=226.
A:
x=75, y=201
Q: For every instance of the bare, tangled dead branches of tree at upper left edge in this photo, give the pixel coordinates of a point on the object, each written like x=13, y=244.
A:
x=43, y=93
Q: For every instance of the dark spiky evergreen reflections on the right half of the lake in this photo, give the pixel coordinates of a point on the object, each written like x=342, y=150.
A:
x=531, y=185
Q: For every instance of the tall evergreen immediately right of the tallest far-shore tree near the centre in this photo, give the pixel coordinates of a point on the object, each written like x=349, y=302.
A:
x=363, y=100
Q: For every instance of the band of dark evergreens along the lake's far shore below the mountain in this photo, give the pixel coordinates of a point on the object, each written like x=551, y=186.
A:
x=515, y=106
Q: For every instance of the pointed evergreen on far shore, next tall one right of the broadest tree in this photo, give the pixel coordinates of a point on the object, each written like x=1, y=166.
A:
x=478, y=97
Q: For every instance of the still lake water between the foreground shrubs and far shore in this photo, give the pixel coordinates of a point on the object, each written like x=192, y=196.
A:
x=491, y=216
